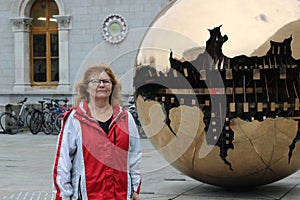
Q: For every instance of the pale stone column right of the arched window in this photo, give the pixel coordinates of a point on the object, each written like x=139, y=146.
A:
x=64, y=26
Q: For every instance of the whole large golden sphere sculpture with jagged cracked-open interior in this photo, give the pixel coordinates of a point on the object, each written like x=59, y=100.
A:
x=217, y=87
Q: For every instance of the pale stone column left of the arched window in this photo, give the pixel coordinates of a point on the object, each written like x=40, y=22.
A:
x=20, y=27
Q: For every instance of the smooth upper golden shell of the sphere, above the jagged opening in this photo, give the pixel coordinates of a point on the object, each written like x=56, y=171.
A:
x=249, y=25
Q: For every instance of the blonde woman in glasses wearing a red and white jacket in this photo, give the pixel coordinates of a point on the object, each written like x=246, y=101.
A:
x=98, y=152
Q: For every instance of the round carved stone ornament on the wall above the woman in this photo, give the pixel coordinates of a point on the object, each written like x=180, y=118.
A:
x=114, y=28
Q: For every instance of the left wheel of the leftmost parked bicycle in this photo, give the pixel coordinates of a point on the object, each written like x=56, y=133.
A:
x=9, y=123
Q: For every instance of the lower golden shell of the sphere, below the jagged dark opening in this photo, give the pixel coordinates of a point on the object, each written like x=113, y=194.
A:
x=260, y=154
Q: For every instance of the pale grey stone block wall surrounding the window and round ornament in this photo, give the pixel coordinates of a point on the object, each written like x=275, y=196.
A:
x=86, y=44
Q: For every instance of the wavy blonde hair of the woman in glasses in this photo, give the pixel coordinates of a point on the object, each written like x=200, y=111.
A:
x=81, y=87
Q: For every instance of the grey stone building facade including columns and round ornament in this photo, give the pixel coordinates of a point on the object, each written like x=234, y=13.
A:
x=83, y=38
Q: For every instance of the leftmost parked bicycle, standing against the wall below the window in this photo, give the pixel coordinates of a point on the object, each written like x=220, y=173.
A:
x=11, y=122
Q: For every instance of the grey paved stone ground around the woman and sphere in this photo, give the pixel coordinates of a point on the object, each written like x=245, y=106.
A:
x=26, y=174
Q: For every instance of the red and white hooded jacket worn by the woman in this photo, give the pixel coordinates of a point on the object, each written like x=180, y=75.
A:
x=91, y=164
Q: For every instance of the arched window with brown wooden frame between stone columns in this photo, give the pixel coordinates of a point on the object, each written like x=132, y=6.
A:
x=44, y=41
